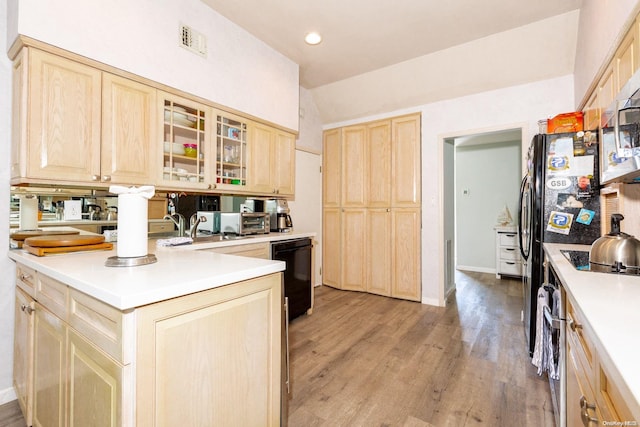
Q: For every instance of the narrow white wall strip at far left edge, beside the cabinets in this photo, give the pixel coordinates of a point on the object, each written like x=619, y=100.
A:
x=7, y=284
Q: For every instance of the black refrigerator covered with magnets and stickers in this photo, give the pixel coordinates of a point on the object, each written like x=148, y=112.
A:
x=559, y=203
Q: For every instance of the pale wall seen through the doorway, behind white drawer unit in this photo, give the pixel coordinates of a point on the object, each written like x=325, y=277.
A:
x=481, y=182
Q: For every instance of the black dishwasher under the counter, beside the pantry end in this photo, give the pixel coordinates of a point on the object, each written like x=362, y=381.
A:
x=296, y=254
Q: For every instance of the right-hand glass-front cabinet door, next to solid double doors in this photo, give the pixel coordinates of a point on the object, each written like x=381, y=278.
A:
x=231, y=152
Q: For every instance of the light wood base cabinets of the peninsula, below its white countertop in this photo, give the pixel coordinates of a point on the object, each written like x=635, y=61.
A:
x=209, y=358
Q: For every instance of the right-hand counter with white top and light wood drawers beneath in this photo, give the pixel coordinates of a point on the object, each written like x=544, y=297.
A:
x=607, y=322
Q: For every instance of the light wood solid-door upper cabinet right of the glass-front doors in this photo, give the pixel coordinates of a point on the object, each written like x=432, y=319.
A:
x=271, y=160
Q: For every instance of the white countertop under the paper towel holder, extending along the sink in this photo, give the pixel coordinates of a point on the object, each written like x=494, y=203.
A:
x=177, y=272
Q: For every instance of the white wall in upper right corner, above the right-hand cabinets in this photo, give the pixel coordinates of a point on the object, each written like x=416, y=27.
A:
x=600, y=28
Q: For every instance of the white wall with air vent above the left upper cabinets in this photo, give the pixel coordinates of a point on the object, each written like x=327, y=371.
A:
x=141, y=37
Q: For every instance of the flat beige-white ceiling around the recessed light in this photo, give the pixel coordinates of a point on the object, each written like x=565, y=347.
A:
x=365, y=35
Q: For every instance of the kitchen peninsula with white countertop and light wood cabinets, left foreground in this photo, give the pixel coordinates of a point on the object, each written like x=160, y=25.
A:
x=193, y=339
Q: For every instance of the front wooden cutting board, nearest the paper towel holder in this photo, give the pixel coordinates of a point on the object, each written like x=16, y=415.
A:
x=44, y=245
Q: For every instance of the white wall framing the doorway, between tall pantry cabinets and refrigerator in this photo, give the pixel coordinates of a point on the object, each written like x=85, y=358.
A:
x=508, y=108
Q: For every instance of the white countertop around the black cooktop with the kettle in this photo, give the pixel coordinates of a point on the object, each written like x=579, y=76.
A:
x=609, y=303
